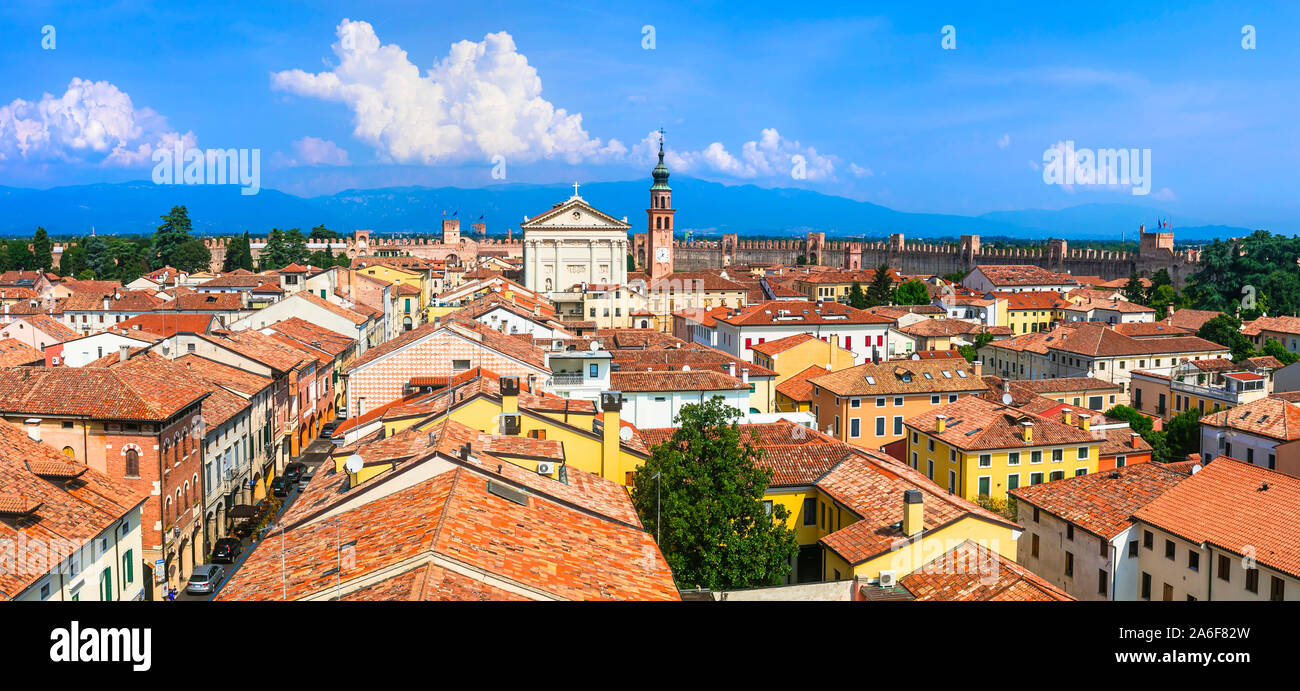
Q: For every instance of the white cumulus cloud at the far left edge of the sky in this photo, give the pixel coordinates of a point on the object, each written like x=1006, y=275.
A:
x=93, y=121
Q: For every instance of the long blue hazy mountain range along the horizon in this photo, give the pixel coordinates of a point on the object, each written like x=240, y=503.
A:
x=708, y=208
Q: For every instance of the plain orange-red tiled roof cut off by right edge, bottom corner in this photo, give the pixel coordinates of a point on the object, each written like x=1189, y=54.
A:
x=1238, y=507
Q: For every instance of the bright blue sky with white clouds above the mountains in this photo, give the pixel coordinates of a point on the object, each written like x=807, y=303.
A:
x=864, y=93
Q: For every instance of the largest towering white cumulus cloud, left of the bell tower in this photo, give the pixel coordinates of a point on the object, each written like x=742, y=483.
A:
x=483, y=99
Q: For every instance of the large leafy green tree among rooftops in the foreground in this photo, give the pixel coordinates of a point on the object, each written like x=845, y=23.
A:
x=703, y=494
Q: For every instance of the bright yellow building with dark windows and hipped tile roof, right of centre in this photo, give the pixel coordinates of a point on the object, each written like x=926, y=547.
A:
x=976, y=447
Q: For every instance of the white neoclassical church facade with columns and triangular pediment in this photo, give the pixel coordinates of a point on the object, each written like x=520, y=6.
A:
x=573, y=244
